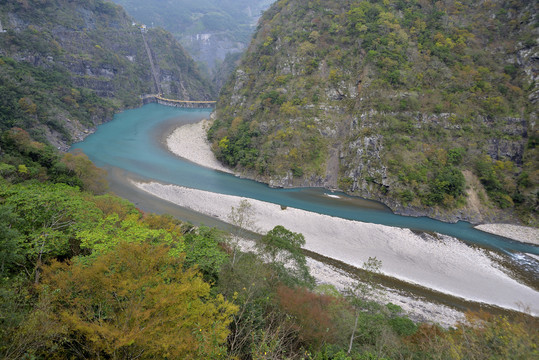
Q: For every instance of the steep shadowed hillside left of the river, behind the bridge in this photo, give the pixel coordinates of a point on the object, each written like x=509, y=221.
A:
x=66, y=66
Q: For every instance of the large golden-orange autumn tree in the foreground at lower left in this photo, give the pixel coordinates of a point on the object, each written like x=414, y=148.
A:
x=136, y=302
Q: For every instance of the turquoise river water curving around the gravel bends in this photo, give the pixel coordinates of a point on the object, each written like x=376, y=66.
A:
x=132, y=141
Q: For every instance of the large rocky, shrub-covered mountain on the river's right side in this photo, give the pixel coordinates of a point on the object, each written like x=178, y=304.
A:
x=429, y=107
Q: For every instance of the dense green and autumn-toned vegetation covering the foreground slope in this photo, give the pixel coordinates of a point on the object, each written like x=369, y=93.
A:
x=84, y=275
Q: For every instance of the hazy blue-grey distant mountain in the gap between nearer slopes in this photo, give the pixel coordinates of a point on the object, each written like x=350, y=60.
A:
x=208, y=29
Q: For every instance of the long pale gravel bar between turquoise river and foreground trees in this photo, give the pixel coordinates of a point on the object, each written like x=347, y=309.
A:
x=438, y=262
